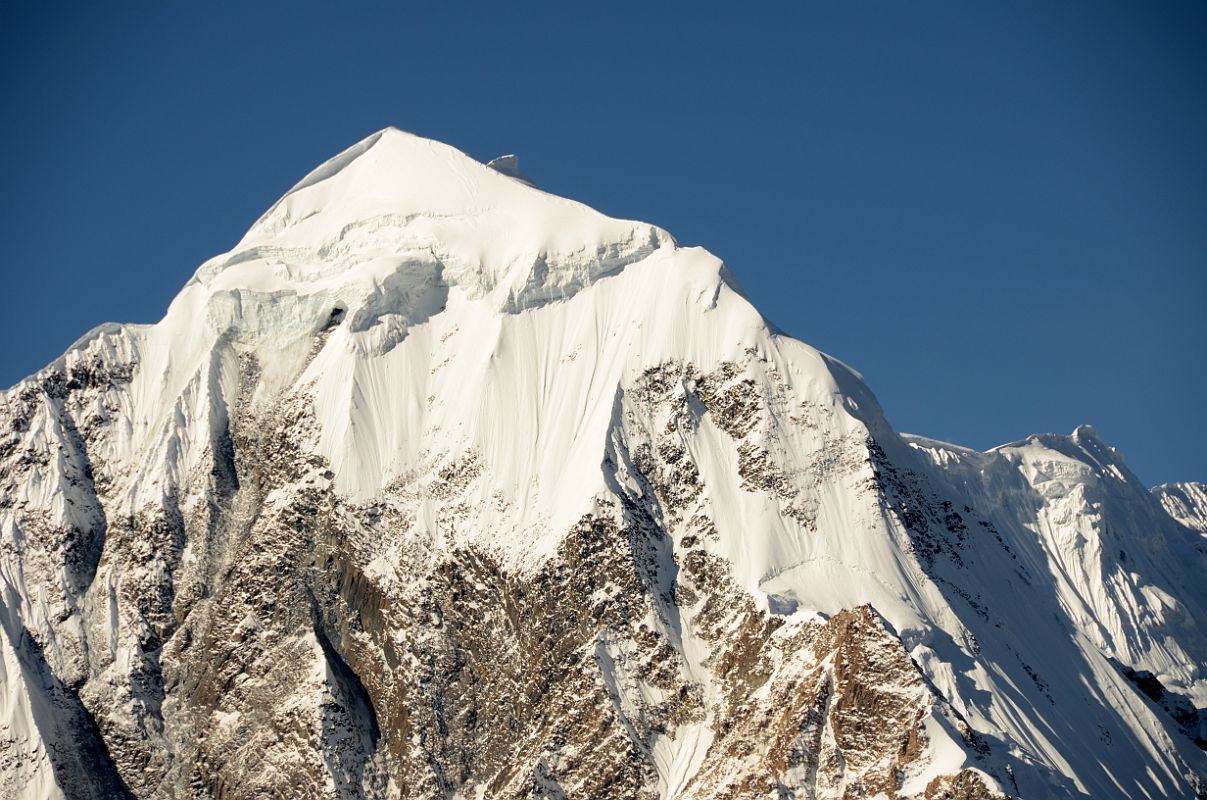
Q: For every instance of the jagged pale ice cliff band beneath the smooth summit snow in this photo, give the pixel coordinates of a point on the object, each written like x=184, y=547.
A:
x=283, y=294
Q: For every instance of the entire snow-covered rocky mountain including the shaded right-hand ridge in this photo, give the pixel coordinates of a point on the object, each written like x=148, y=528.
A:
x=440, y=486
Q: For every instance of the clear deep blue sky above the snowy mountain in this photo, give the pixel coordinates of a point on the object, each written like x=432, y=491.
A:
x=998, y=212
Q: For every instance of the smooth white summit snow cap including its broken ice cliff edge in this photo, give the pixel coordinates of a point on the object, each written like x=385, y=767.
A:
x=386, y=229
